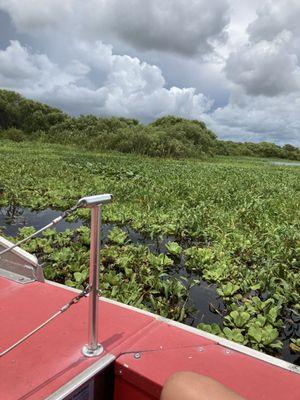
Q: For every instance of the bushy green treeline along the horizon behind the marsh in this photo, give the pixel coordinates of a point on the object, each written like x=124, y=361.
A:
x=22, y=119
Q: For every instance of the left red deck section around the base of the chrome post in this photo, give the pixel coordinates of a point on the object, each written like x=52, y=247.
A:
x=52, y=356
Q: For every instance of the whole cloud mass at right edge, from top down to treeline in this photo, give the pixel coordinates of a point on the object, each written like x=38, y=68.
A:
x=265, y=75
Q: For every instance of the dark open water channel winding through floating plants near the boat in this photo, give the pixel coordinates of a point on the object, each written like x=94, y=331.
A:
x=203, y=301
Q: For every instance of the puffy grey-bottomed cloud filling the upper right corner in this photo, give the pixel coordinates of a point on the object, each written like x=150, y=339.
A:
x=268, y=64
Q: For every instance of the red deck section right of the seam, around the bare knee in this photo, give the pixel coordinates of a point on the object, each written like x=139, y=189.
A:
x=178, y=350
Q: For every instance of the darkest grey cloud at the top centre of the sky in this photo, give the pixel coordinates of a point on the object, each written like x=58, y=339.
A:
x=162, y=25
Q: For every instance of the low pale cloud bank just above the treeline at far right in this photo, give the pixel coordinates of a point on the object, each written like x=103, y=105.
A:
x=274, y=119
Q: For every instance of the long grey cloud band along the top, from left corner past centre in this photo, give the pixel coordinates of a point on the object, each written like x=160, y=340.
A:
x=148, y=25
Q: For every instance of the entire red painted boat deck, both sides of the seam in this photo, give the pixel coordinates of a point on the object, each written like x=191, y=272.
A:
x=52, y=357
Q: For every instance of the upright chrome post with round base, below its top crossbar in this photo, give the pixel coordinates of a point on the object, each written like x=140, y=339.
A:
x=93, y=348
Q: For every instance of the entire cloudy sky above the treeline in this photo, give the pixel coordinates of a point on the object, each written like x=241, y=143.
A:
x=234, y=64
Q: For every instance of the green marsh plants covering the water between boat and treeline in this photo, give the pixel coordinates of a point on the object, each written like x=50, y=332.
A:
x=231, y=222
